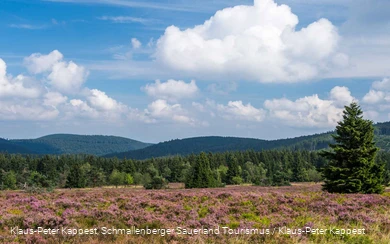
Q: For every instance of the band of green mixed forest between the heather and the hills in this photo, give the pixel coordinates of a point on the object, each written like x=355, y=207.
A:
x=270, y=167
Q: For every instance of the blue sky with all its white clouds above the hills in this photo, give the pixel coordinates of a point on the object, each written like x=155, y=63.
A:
x=159, y=70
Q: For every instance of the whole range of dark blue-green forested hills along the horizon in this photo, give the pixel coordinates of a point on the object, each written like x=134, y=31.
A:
x=115, y=146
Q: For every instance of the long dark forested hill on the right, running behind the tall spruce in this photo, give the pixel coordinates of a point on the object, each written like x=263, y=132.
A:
x=223, y=144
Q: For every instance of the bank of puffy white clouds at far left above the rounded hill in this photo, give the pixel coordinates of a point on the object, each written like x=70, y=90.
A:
x=23, y=98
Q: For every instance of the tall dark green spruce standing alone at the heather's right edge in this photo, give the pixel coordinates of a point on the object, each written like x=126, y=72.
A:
x=351, y=167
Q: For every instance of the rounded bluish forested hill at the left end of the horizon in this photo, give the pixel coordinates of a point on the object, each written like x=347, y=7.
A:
x=71, y=144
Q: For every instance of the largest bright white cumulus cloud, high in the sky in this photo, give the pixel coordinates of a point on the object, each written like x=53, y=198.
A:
x=258, y=42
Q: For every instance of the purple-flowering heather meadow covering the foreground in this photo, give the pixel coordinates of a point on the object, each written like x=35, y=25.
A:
x=240, y=214
